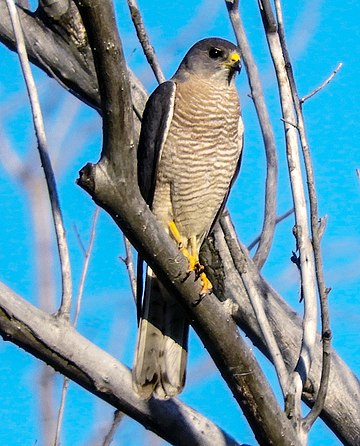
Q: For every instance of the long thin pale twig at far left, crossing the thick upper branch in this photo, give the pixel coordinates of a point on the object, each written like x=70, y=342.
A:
x=63, y=251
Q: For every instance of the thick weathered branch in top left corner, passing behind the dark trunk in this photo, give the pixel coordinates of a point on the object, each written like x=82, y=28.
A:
x=69, y=62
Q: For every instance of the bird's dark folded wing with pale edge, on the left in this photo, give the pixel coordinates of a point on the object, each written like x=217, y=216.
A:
x=154, y=130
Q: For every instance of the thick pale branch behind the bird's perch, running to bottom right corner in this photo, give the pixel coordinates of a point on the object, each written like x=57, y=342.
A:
x=343, y=395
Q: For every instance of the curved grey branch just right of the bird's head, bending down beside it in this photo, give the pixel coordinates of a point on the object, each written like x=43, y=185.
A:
x=267, y=232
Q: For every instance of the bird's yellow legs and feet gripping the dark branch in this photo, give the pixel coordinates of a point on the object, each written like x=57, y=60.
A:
x=193, y=258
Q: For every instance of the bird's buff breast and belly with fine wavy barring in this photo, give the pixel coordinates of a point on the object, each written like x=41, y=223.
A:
x=199, y=157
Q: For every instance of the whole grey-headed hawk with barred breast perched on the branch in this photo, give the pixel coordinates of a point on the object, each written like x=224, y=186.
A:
x=189, y=154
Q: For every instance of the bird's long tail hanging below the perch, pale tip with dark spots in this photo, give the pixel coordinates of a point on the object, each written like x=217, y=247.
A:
x=161, y=350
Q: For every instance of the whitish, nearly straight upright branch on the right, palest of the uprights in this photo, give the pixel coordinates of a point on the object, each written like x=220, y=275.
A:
x=301, y=230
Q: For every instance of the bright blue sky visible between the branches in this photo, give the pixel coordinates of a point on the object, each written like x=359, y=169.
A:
x=320, y=35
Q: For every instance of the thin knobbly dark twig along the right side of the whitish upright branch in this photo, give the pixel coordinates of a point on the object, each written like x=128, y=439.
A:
x=316, y=233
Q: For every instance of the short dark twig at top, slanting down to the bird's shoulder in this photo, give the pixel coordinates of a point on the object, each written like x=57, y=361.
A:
x=145, y=41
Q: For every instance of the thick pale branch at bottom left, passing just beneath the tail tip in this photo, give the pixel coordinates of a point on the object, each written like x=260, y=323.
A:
x=56, y=342
